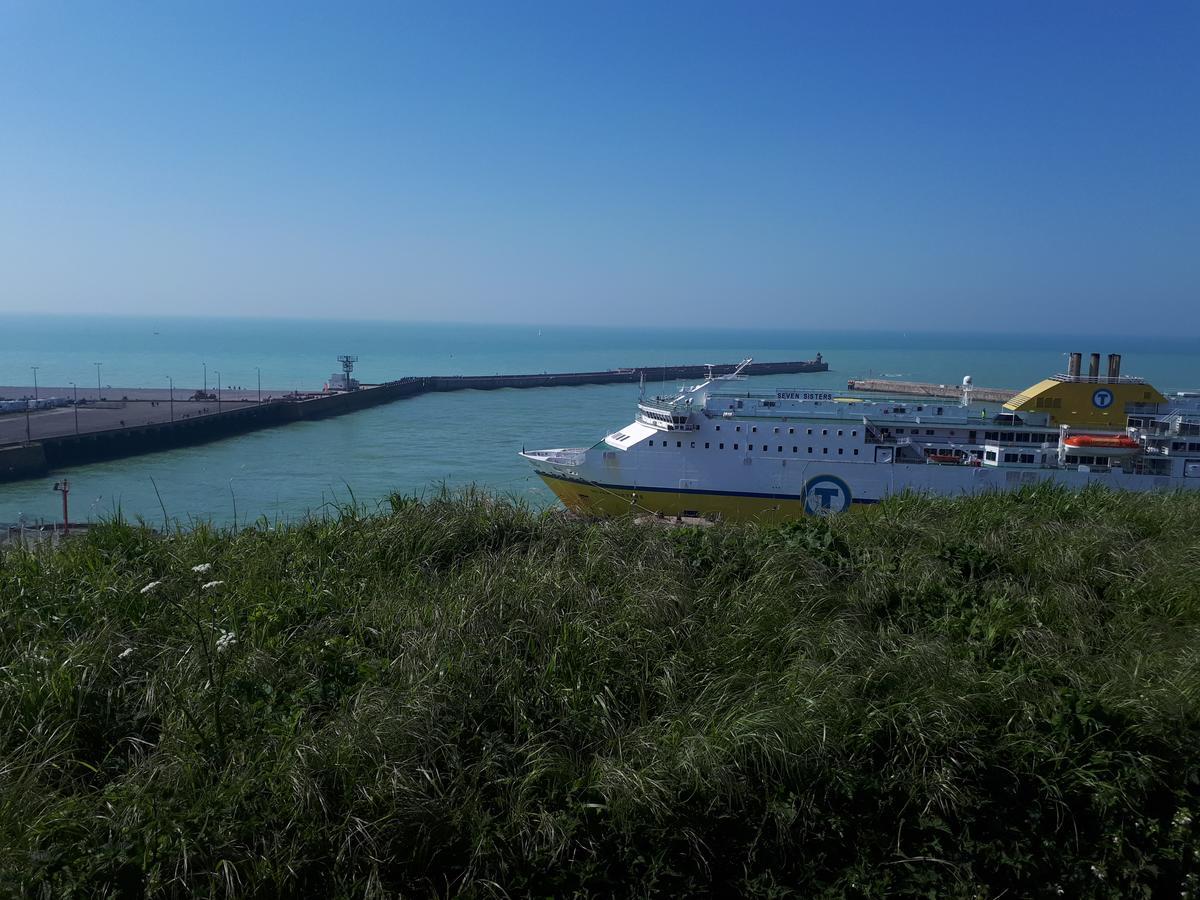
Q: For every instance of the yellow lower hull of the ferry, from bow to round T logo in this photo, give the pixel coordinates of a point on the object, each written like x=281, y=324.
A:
x=604, y=501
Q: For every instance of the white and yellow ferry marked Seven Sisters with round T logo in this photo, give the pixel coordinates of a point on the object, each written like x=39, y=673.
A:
x=717, y=451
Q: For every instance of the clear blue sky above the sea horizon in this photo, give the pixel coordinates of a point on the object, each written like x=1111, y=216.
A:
x=1011, y=166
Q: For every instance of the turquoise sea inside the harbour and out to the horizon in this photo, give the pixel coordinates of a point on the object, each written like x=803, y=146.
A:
x=422, y=446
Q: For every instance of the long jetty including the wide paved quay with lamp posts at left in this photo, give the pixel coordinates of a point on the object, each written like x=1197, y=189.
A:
x=131, y=422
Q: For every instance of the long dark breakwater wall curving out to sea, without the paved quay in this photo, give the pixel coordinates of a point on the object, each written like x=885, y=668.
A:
x=35, y=459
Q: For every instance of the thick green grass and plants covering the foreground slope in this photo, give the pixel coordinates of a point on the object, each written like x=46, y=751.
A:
x=927, y=698
